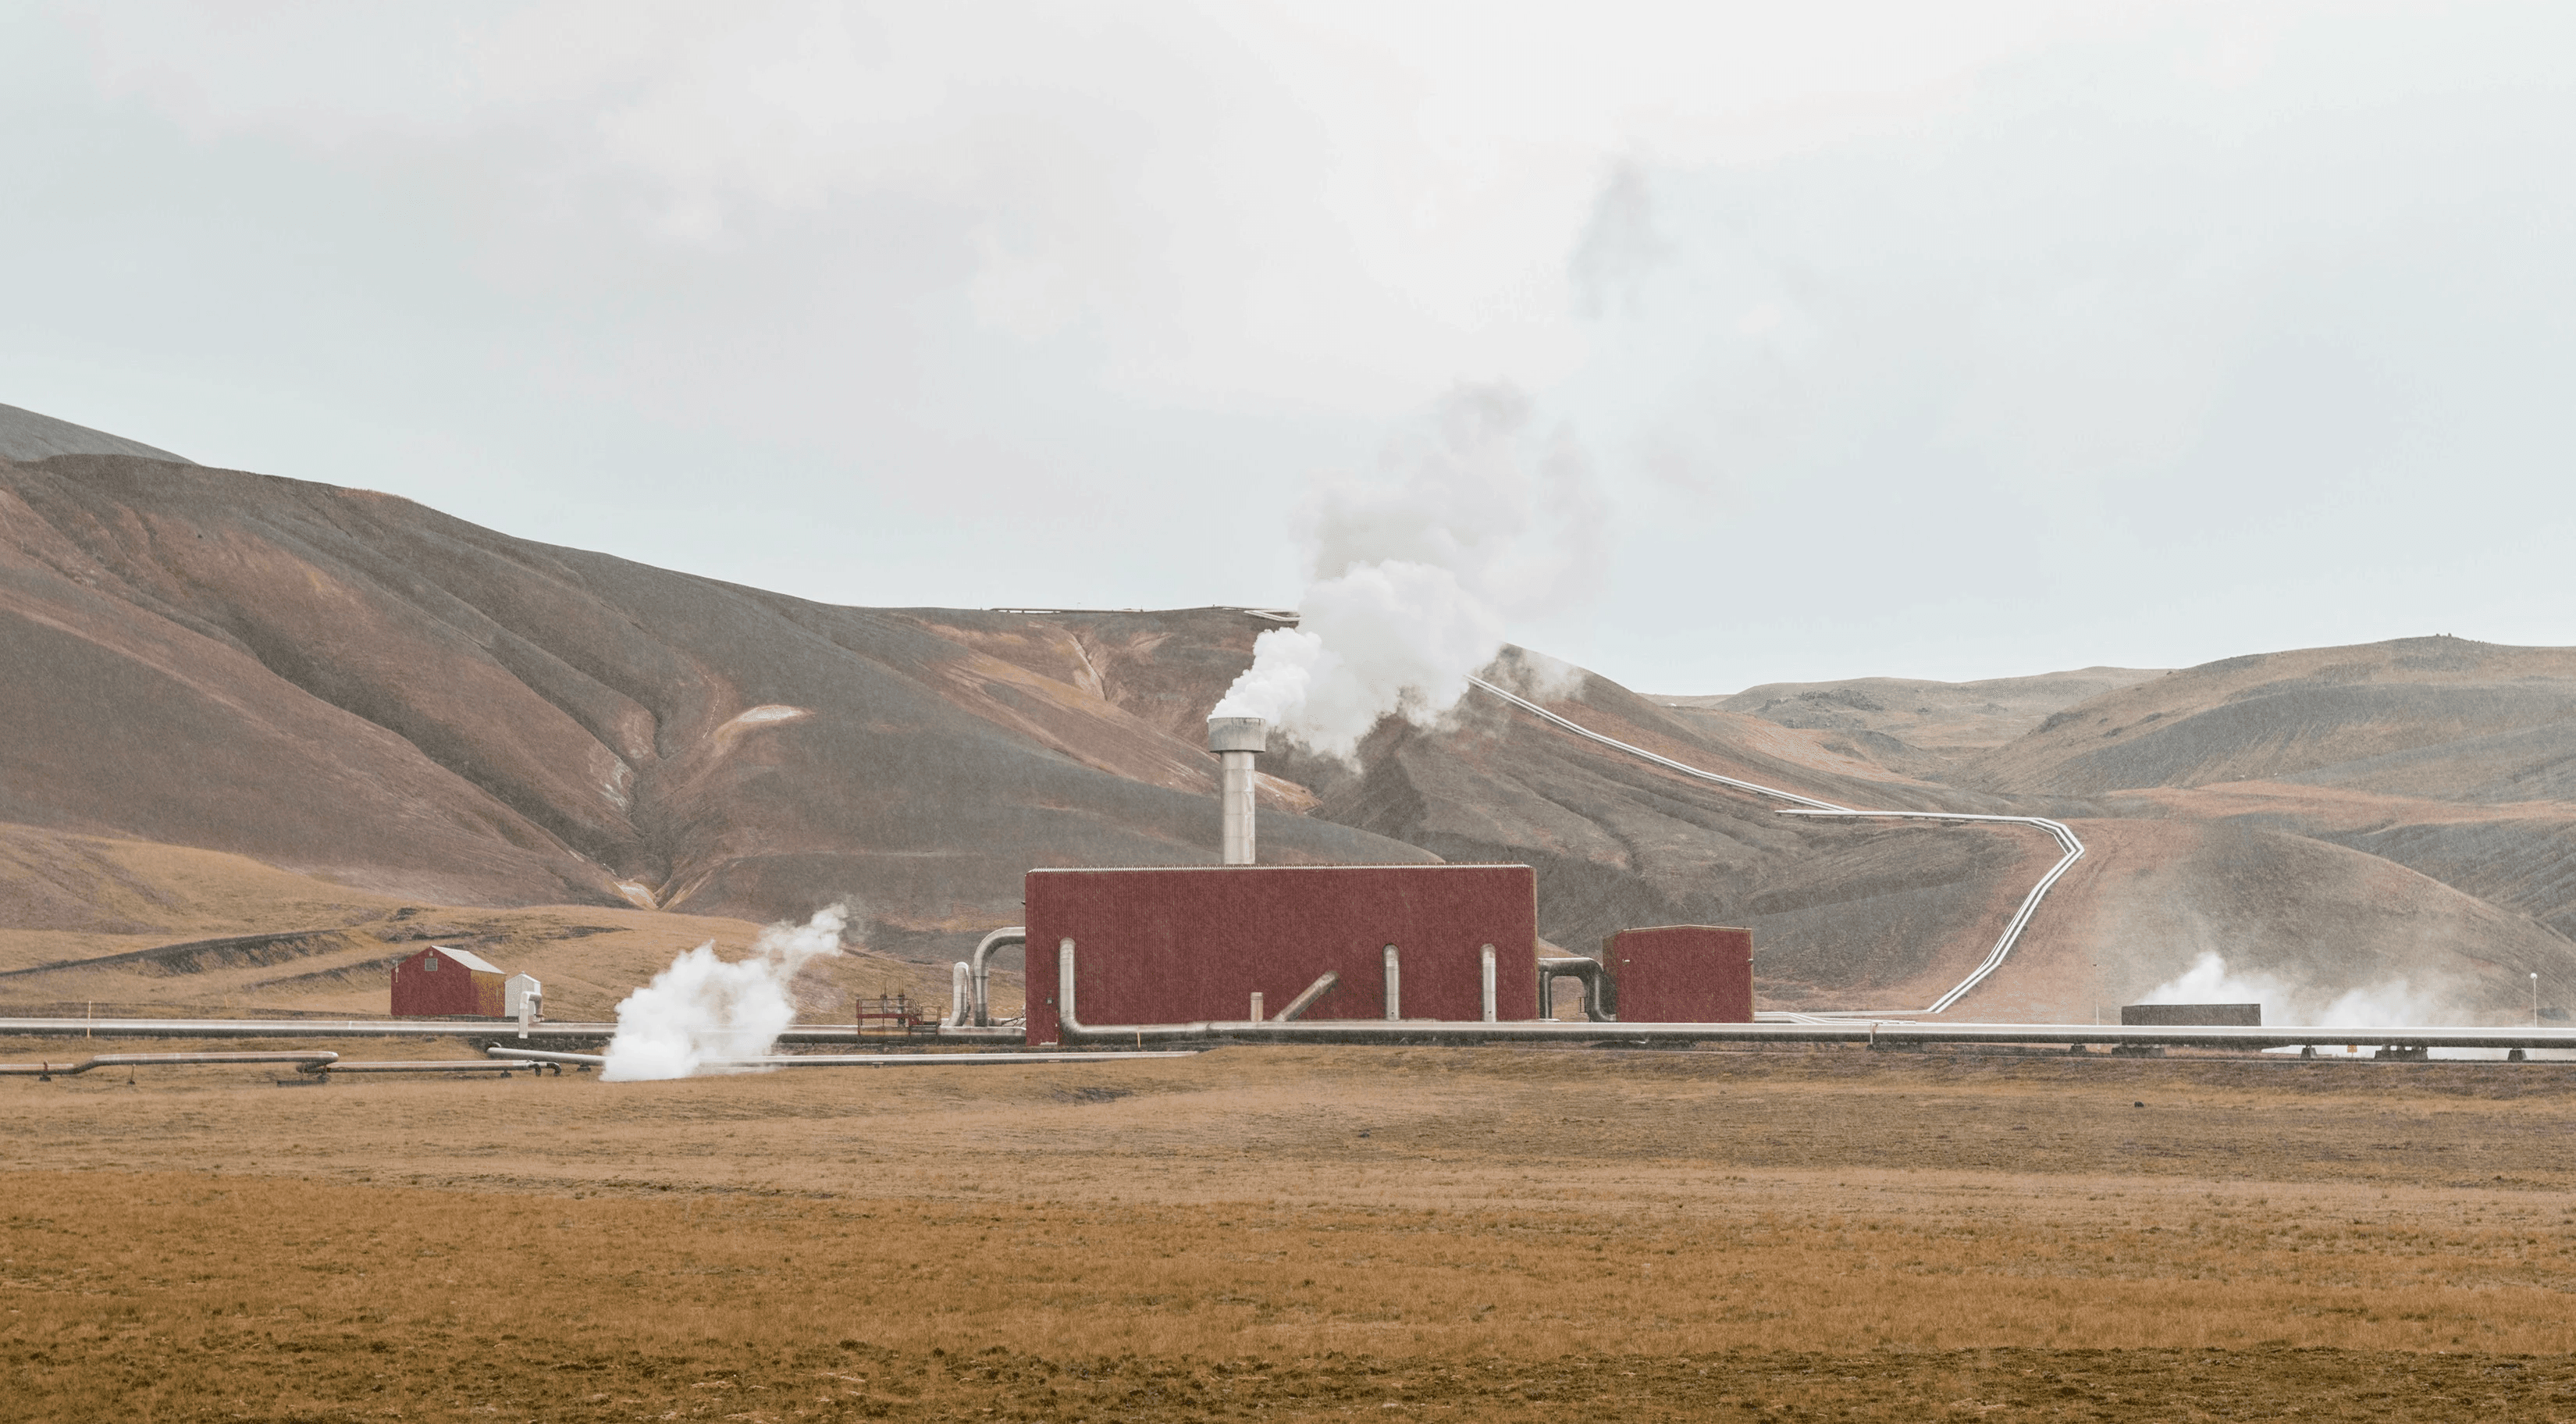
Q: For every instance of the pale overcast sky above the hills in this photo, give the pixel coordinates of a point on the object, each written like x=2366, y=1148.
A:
x=1884, y=339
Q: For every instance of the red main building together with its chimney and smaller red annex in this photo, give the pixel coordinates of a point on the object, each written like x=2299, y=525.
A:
x=1245, y=949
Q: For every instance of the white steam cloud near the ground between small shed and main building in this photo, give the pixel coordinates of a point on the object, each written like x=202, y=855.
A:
x=705, y=1013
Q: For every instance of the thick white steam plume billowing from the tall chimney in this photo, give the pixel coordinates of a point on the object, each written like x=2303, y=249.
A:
x=1413, y=581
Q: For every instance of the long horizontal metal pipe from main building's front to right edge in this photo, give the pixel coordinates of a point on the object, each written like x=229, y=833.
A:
x=1846, y=1031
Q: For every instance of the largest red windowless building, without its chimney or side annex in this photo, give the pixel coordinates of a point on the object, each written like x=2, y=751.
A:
x=1194, y=944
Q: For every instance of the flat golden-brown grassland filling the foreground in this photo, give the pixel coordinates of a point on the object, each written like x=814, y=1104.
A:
x=1287, y=1235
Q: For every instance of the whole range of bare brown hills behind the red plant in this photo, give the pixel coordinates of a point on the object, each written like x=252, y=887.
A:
x=359, y=694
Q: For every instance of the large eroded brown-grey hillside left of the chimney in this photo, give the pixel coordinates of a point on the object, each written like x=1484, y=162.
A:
x=362, y=689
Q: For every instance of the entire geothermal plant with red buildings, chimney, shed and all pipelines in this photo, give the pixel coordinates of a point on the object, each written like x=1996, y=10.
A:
x=1179, y=959
